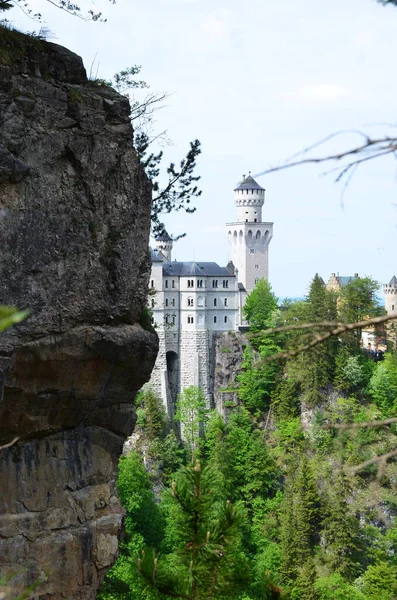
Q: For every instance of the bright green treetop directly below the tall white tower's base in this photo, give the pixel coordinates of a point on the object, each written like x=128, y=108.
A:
x=260, y=305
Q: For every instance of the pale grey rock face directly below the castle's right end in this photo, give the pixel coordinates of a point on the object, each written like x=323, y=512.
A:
x=229, y=348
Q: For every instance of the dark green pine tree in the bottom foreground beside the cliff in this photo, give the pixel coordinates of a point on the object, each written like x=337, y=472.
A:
x=208, y=561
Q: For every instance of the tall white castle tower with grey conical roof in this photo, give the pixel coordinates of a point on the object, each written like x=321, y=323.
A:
x=249, y=236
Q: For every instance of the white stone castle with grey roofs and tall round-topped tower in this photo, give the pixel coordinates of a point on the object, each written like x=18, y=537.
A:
x=192, y=302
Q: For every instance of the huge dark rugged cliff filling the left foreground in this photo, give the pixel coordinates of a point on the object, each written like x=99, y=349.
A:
x=74, y=226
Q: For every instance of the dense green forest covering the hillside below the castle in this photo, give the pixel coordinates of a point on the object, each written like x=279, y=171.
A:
x=291, y=494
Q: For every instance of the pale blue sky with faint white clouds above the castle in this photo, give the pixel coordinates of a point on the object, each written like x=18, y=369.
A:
x=256, y=82
